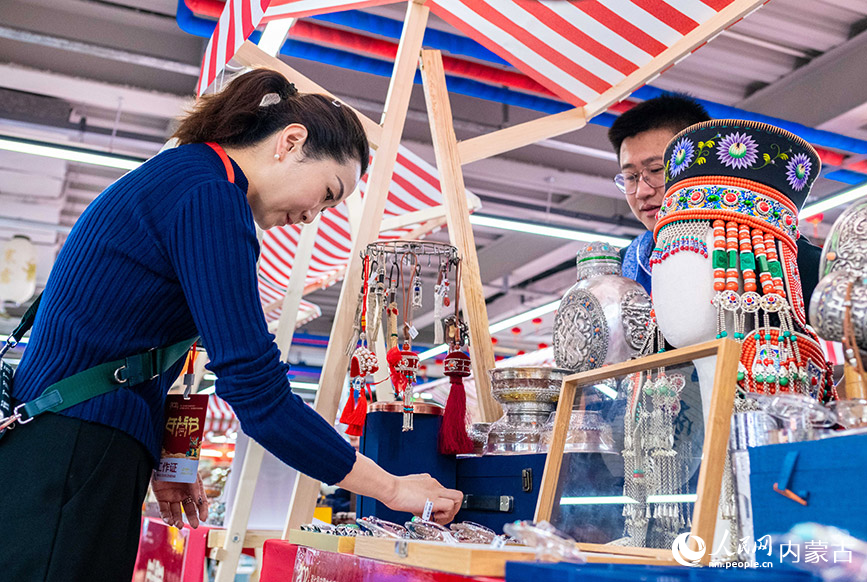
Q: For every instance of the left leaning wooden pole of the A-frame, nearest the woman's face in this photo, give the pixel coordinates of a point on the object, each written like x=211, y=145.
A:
x=336, y=361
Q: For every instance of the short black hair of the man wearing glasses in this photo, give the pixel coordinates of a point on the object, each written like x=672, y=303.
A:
x=670, y=111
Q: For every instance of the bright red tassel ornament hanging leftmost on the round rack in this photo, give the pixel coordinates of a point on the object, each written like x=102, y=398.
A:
x=362, y=364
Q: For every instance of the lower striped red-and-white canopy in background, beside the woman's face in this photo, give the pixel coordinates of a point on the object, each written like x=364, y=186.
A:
x=414, y=187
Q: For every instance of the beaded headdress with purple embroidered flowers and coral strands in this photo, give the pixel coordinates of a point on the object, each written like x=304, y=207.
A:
x=747, y=181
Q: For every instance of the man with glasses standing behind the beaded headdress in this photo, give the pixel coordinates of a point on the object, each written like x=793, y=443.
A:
x=639, y=137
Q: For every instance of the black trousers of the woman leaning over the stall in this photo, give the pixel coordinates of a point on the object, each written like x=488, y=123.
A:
x=71, y=494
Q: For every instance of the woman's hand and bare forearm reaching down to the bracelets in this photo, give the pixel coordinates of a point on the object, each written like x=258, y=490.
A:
x=407, y=493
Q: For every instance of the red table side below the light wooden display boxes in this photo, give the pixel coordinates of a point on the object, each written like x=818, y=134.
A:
x=285, y=562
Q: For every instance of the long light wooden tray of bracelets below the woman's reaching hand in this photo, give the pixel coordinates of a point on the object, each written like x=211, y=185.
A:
x=464, y=559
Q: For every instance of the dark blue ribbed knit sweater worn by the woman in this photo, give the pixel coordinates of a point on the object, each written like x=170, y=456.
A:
x=165, y=253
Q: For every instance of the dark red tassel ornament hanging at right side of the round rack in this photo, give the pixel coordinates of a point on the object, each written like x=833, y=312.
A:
x=453, y=437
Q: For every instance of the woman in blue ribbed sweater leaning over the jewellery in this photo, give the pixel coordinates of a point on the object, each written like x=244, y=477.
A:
x=166, y=253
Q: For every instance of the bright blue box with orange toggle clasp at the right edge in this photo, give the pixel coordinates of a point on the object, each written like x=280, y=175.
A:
x=828, y=474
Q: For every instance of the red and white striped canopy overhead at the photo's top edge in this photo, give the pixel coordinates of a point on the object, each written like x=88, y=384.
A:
x=578, y=49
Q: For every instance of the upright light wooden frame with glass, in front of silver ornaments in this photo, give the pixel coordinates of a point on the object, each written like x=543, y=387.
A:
x=713, y=451
